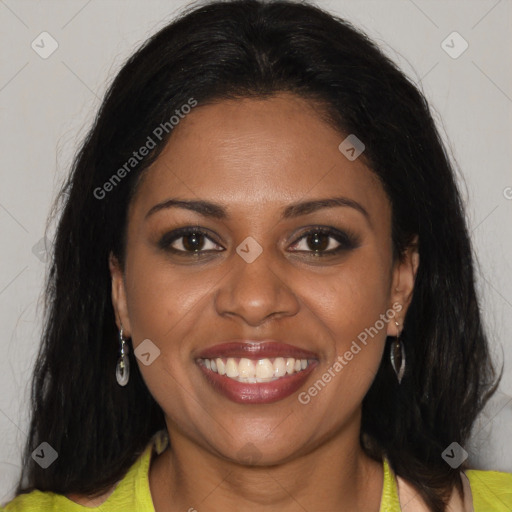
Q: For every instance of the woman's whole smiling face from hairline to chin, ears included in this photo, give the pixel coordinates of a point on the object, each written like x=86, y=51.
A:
x=256, y=275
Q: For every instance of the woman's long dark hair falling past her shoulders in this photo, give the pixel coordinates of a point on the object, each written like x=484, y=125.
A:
x=253, y=48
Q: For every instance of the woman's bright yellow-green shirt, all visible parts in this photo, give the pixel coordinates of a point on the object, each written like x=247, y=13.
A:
x=491, y=491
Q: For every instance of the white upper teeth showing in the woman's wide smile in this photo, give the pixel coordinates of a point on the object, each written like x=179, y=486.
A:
x=261, y=370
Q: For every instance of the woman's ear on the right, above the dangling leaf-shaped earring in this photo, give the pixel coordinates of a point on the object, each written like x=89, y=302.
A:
x=402, y=286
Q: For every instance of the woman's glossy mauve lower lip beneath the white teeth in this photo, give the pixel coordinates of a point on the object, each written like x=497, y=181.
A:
x=258, y=393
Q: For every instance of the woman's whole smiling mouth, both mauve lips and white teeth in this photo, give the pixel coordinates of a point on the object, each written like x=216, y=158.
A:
x=256, y=372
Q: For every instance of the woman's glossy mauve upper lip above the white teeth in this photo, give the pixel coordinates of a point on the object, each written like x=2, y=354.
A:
x=256, y=349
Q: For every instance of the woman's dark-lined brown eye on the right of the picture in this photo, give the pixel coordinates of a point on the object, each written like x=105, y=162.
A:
x=323, y=241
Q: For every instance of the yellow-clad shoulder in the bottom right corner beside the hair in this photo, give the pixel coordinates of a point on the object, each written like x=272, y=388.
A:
x=491, y=490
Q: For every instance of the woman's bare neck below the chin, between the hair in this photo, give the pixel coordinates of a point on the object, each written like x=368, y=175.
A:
x=337, y=475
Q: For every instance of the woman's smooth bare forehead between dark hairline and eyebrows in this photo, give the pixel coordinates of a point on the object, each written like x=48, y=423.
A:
x=257, y=155
